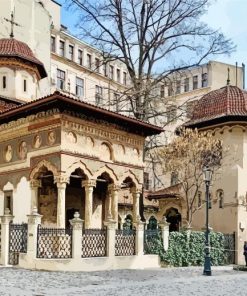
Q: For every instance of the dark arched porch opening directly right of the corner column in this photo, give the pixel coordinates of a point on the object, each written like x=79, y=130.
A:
x=75, y=196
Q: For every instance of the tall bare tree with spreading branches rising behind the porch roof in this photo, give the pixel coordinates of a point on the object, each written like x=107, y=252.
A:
x=154, y=39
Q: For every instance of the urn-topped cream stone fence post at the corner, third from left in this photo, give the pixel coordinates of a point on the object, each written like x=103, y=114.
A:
x=77, y=225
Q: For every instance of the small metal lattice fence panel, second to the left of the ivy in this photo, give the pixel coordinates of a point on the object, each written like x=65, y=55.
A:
x=125, y=242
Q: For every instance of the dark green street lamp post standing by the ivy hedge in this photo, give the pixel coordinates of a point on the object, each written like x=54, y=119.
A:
x=207, y=173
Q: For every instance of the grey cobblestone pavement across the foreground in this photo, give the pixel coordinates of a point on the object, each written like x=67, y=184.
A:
x=168, y=282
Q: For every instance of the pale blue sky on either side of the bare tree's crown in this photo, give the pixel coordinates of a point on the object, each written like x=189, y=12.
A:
x=228, y=15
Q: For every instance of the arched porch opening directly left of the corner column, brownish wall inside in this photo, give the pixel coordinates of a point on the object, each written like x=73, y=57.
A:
x=47, y=196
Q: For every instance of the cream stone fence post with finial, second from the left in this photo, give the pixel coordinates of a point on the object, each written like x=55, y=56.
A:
x=32, y=239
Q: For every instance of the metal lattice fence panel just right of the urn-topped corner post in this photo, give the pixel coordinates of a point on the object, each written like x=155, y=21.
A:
x=94, y=242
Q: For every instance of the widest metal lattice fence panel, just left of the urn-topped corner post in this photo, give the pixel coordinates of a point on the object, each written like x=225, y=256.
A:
x=54, y=243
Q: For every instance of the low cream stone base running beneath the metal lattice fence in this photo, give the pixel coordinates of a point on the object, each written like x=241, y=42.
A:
x=90, y=264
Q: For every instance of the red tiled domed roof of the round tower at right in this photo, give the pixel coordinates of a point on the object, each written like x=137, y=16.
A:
x=227, y=101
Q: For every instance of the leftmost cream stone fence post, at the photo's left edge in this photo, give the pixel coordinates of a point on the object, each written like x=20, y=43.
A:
x=5, y=220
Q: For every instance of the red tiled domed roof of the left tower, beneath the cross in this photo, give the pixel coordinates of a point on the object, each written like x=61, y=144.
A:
x=12, y=48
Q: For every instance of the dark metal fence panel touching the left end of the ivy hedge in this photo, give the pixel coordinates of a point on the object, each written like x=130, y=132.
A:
x=152, y=237
